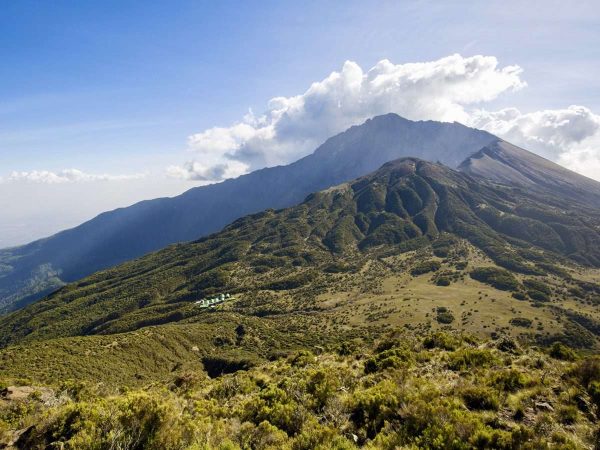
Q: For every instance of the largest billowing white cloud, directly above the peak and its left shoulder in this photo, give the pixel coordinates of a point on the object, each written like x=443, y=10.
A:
x=292, y=127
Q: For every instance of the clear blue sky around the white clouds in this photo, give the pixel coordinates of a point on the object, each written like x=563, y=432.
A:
x=117, y=87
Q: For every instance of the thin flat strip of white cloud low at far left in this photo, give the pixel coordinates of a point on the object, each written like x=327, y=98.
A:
x=63, y=176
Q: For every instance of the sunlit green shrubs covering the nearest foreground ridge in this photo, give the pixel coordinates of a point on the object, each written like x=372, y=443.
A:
x=308, y=401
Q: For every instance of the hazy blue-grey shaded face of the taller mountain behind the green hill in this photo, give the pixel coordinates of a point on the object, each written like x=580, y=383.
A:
x=30, y=271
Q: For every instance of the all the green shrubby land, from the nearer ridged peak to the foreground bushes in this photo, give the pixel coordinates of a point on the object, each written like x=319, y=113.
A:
x=445, y=312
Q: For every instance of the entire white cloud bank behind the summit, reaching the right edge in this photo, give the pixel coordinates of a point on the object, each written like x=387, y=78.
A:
x=454, y=88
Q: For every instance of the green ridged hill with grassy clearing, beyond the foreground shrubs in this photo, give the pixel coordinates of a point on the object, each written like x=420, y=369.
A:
x=413, y=245
